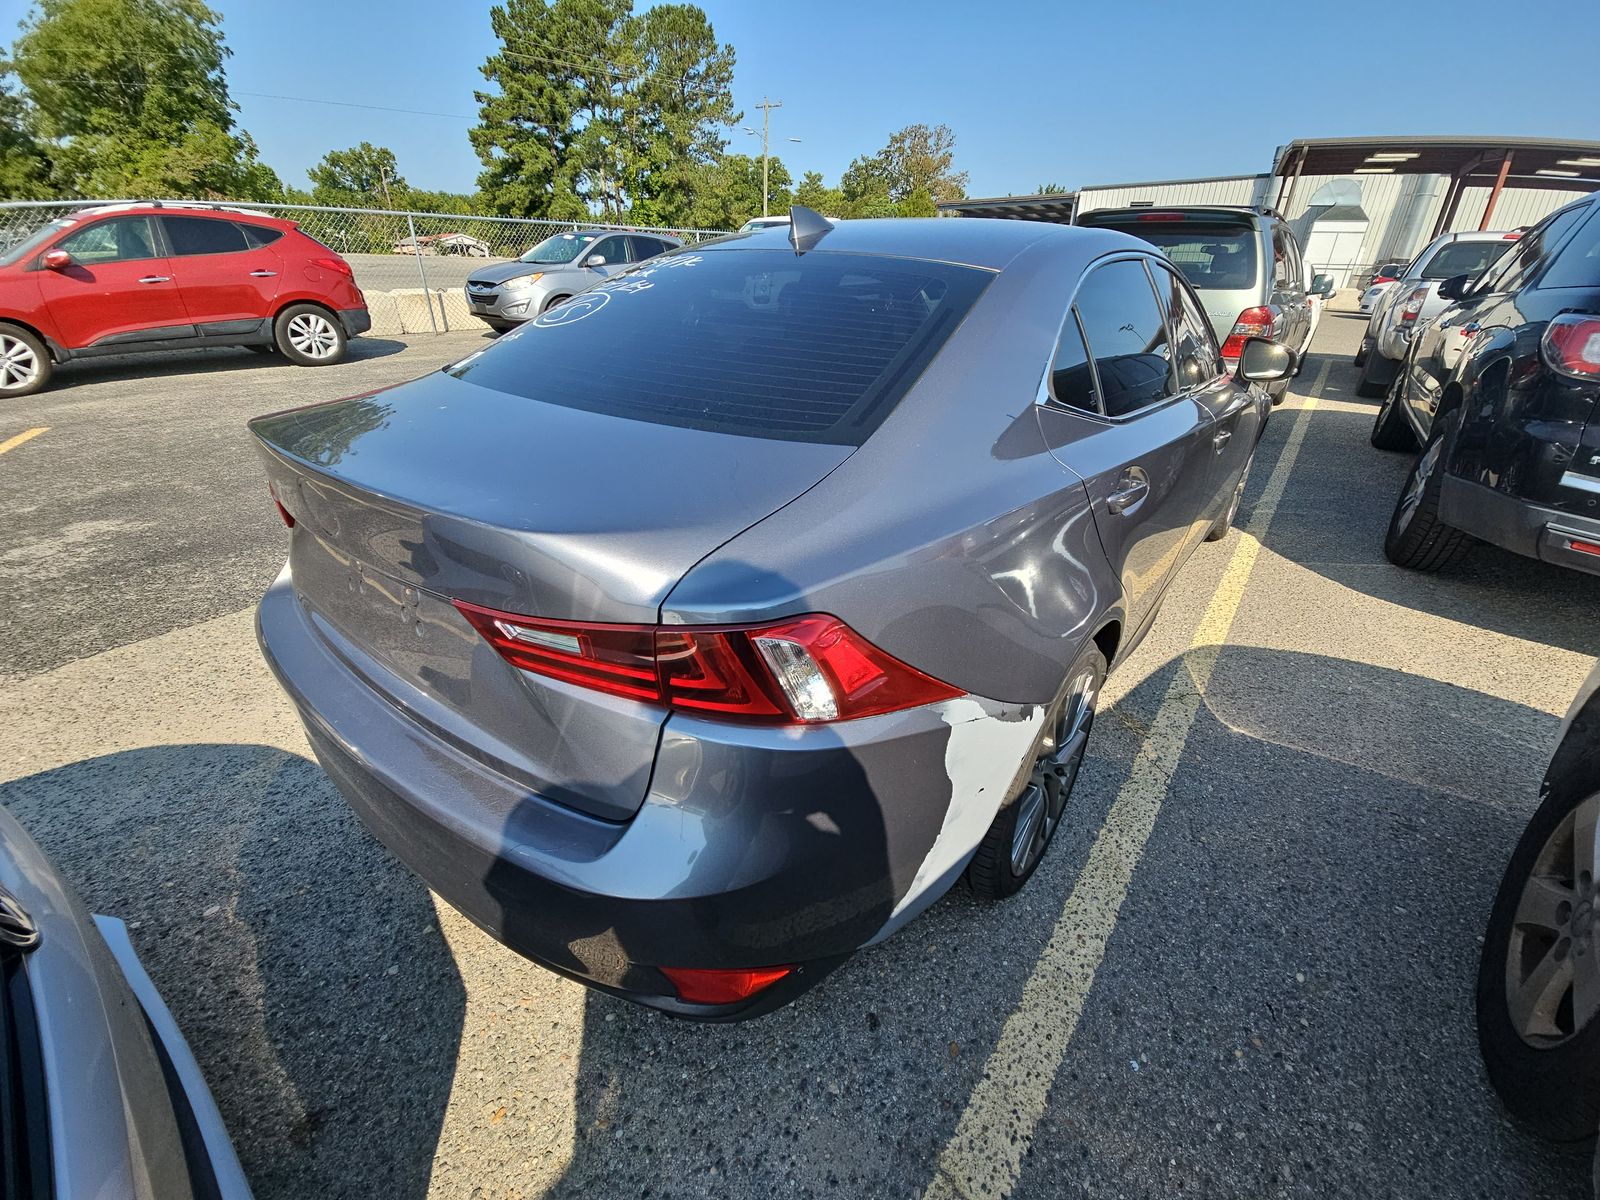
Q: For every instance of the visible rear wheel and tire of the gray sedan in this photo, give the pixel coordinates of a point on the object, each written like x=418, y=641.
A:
x=1022, y=833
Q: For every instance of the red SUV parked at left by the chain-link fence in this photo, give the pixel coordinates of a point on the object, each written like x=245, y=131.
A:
x=162, y=278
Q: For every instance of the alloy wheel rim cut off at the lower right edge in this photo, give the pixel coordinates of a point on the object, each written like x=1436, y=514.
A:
x=1553, y=962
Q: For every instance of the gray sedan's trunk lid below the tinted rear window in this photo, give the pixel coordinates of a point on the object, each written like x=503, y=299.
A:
x=442, y=490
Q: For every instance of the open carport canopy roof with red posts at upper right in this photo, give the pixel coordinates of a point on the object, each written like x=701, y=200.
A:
x=1498, y=162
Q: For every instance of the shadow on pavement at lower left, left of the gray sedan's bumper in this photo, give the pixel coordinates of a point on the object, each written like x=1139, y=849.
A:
x=305, y=966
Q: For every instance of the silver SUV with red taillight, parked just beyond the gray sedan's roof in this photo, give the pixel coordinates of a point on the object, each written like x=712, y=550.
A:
x=1246, y=263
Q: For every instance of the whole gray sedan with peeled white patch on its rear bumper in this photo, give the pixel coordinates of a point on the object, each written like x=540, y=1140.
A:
x=694, y=670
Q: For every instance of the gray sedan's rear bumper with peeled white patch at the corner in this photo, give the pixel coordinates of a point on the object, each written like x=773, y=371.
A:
x=754, y=847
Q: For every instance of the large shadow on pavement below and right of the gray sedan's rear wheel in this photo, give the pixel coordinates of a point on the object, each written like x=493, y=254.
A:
x=1292, y=977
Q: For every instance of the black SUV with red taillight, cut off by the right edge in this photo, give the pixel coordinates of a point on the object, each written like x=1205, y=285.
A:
x=1500, y=394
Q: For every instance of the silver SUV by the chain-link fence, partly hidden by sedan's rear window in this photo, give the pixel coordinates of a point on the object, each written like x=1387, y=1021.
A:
x=510, y=294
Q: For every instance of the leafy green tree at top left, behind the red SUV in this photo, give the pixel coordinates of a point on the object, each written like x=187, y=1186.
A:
x=130, y=98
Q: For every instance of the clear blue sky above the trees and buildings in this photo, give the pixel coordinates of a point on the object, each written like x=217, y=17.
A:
x=1036, y=92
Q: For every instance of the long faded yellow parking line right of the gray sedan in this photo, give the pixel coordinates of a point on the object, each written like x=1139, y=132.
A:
x=983, y=1161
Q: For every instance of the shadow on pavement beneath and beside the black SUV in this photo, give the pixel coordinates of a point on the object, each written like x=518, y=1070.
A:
x=1335, y=526
